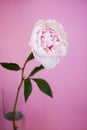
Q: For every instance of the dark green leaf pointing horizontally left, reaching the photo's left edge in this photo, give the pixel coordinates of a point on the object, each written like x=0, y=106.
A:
x=11, y=66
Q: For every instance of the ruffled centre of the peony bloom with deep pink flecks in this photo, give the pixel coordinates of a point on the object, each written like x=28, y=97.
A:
x=48, y=38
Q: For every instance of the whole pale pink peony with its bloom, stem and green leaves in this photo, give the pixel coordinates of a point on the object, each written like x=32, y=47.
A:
x=49, y=45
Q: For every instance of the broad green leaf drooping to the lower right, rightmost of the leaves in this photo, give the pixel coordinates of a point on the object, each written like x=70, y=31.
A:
x=43, y=86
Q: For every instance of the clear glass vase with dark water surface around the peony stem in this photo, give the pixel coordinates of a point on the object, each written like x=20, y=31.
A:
x=12, y=121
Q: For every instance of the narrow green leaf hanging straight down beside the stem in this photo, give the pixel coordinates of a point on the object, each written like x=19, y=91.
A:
x=27, y=88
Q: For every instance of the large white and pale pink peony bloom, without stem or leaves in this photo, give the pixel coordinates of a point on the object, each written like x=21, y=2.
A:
x=48, y=42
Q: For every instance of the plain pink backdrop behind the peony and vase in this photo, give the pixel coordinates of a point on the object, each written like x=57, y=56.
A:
x=68, y=109
